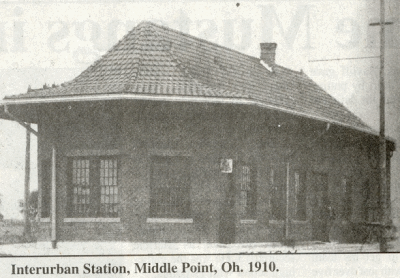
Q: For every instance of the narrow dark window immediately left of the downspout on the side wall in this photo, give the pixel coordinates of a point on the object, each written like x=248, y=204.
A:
x=278, y=194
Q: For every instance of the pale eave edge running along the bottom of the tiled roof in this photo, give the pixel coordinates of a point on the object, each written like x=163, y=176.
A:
x=178, y=98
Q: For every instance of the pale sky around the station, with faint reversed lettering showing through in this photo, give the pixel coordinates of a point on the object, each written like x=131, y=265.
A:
x=52, y=42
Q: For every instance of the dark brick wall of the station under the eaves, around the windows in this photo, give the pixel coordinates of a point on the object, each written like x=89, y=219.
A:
x=205, y=133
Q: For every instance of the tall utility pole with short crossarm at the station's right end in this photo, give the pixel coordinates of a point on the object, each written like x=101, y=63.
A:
x=383, y=247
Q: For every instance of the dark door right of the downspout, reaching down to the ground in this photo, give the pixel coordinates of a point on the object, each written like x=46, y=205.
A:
x=319, y=206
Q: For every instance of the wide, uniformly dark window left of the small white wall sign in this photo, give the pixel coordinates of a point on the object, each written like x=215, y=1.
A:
x=170, y=186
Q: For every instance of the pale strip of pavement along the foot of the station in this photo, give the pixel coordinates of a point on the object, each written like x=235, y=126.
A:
x=130, y=248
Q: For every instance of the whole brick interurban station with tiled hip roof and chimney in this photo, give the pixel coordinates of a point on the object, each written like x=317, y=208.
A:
x=168, y=137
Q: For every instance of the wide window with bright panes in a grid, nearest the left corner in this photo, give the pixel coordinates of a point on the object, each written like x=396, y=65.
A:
x=93, y=188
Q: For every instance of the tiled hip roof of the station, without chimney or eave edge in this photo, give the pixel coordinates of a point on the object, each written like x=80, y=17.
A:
x=153, y=59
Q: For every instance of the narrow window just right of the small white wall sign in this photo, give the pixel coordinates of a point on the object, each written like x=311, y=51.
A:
x=247, y=192
